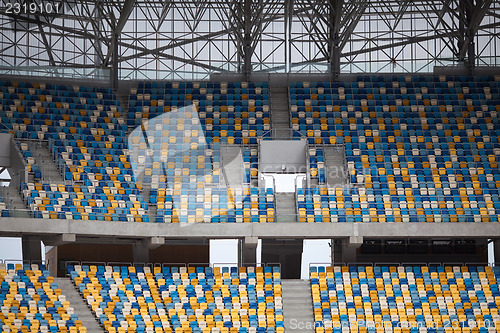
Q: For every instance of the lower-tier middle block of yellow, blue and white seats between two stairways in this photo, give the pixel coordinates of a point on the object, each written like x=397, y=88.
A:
x=191, y=300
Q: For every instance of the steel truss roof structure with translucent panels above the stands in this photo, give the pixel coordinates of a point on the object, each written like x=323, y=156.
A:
x=192, y=39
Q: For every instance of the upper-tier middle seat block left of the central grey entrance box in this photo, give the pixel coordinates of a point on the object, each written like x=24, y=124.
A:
x=185, y=167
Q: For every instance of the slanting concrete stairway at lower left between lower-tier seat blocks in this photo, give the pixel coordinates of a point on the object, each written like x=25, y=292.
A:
x=77, y=302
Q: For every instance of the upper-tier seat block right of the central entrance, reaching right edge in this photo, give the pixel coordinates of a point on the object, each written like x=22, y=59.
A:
x=418, y=148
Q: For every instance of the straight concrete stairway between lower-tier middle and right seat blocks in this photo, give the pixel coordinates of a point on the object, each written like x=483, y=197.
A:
x=297, y=306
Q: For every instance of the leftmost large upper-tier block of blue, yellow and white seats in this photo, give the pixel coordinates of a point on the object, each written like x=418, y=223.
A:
x=87, y=137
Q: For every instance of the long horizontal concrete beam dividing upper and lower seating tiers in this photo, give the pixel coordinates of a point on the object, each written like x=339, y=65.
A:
x=10, y=226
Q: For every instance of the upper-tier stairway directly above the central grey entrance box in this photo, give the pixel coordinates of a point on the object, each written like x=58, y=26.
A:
x=280, y=114
